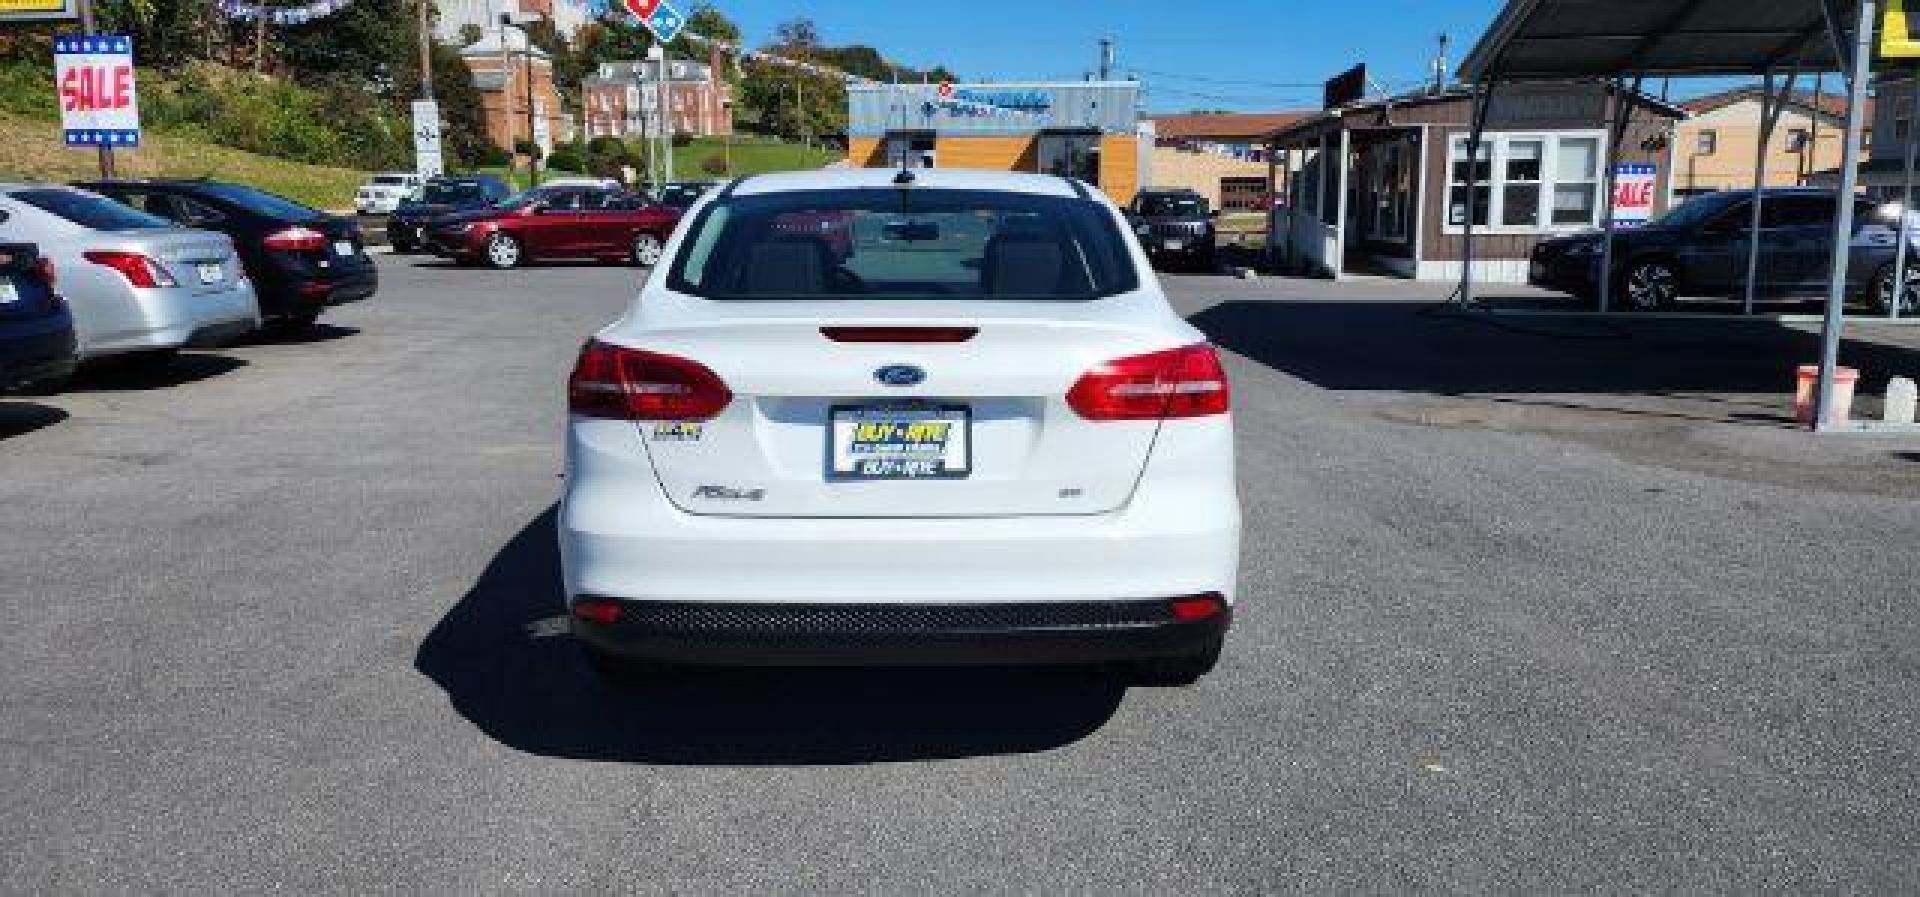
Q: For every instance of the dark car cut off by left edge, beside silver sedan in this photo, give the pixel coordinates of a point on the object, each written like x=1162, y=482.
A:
x=37, y=347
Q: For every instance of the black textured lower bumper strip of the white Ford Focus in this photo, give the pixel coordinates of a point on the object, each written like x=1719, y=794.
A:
x=900, y=635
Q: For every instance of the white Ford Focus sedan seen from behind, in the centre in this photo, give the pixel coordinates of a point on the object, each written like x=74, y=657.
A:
x=901, y=418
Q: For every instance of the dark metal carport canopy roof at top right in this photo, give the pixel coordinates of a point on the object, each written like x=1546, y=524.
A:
x=1583, y=39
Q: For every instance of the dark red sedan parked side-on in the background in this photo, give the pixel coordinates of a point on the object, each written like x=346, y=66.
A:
x=556, y=224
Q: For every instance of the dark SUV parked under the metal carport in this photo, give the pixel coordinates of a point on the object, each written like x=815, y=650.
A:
x=1700, y=249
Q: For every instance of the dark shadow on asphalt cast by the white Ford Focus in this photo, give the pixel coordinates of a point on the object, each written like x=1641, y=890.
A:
x=508, y=666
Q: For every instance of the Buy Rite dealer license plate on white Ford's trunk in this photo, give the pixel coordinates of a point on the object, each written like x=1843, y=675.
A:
x=900, y=443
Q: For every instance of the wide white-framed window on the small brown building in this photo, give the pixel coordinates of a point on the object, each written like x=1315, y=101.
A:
x=1527, y=182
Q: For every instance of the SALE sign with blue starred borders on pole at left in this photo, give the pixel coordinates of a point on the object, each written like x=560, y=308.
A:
x=99, y=105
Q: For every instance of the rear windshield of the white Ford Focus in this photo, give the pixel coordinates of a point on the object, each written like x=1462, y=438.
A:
x=903, y=245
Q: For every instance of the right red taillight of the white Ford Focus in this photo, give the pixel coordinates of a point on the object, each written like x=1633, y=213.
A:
x=1174, y=383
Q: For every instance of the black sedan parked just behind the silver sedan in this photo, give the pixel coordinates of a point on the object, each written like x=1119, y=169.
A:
x=300, y=260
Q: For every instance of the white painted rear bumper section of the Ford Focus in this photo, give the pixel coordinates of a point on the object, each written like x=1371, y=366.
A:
x=1178, y=535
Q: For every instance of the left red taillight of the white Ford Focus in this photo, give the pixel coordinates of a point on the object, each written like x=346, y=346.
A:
x=636, y=385
